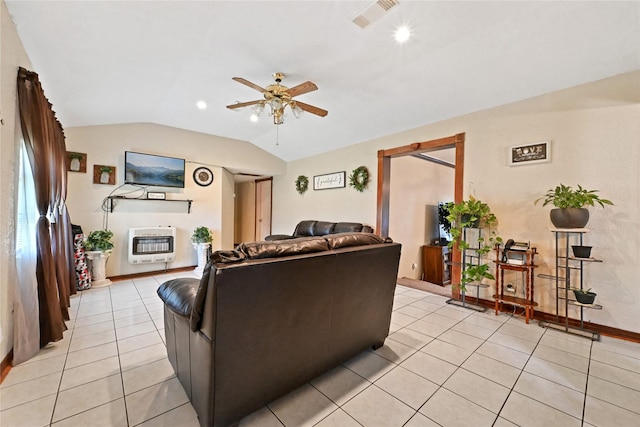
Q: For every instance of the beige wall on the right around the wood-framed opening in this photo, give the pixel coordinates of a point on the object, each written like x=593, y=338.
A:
x=594, y=129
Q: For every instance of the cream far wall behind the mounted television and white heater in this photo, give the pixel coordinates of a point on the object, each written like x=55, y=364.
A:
x=213, y=206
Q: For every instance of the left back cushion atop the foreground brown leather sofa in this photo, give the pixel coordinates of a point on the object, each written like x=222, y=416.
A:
x=280, y=248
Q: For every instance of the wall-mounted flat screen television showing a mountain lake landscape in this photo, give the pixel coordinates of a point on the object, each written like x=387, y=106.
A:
x=151, y=169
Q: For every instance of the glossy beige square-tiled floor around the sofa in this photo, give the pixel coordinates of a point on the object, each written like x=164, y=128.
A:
x=441, y=365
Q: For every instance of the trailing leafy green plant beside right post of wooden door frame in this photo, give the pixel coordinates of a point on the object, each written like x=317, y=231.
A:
x=472, y=213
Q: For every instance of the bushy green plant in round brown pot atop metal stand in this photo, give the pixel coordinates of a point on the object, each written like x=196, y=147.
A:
x=570, y=211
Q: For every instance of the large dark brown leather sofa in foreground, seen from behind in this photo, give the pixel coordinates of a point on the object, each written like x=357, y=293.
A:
x=270, y=316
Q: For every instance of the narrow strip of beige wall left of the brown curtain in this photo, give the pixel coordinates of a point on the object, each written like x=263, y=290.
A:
x=12, y=56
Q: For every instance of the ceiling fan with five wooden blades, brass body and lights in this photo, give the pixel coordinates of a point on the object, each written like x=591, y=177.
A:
x=277, y=97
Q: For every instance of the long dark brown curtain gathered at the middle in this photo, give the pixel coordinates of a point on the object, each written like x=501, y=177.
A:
x=44, y=140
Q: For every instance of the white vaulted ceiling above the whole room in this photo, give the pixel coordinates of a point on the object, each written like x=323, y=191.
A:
x=105, y=62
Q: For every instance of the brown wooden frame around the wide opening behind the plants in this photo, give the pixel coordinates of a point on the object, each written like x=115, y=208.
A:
x=384, y=184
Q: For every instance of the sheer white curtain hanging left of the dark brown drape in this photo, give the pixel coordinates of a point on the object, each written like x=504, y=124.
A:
x=26, y=317
